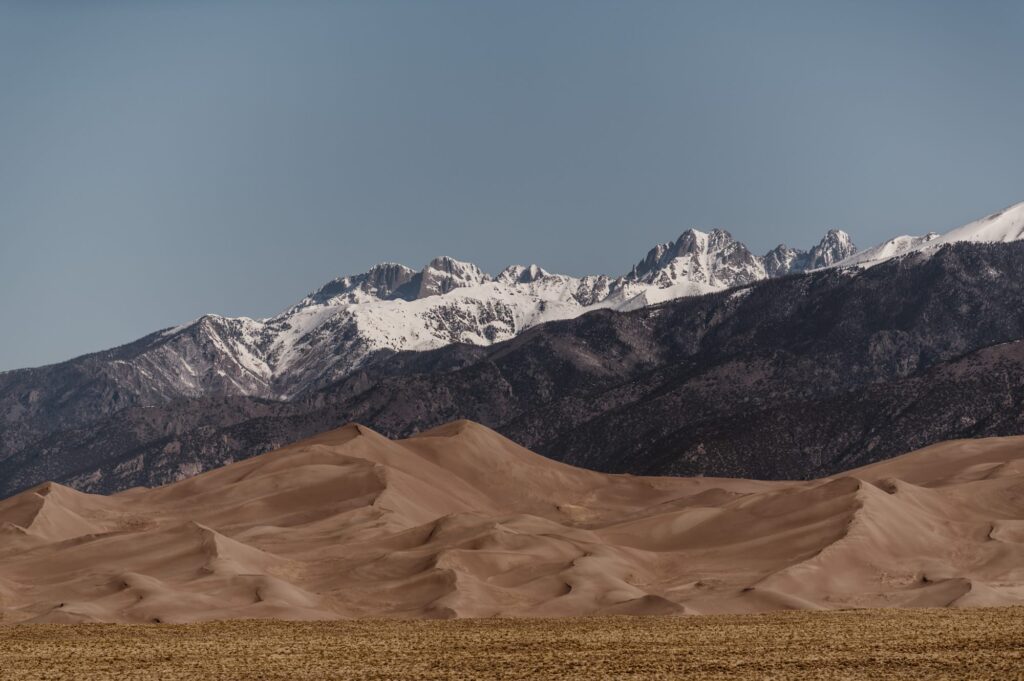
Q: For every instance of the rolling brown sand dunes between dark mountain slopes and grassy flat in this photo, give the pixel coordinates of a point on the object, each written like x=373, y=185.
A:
x=460, y=522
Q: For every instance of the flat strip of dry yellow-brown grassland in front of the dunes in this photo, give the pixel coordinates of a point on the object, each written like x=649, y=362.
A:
x=984, y=644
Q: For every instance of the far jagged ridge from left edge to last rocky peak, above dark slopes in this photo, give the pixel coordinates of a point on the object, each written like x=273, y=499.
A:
x=356, y=322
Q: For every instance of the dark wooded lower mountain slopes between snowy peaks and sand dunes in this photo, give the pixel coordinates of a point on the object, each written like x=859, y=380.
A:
x=789, y=378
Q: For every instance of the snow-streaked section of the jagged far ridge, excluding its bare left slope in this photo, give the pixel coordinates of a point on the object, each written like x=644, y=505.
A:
x=392, y=308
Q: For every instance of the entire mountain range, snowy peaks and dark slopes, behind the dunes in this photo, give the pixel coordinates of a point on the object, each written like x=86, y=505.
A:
x=697, y=345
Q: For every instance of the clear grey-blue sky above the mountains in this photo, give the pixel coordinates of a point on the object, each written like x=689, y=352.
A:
x=163, y=160
